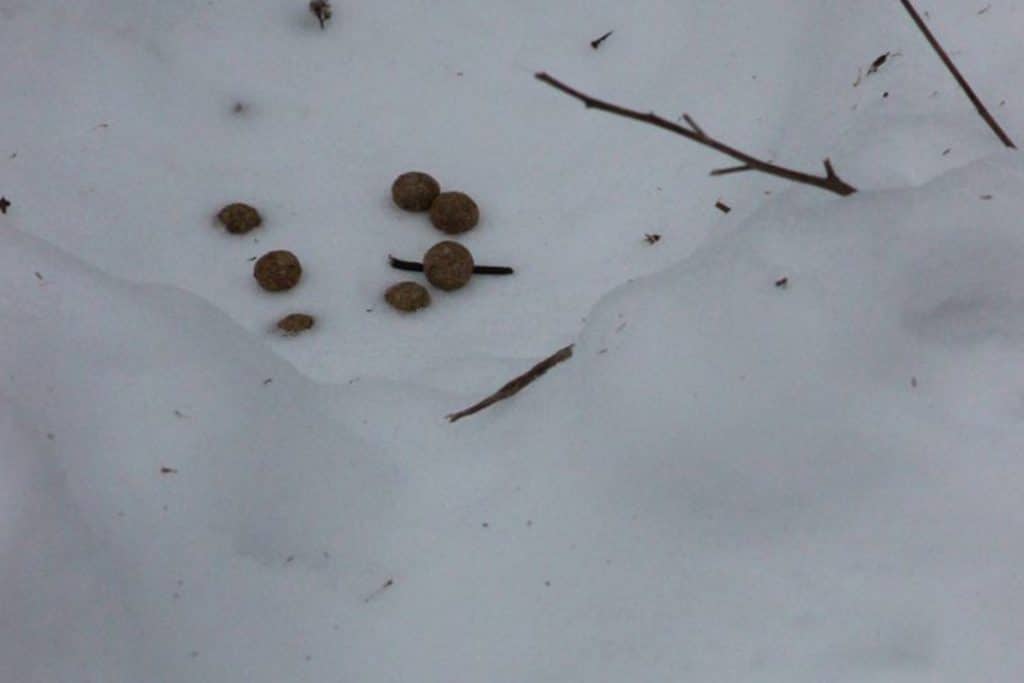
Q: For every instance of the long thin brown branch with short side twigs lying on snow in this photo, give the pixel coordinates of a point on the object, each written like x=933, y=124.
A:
x=832, y=184
